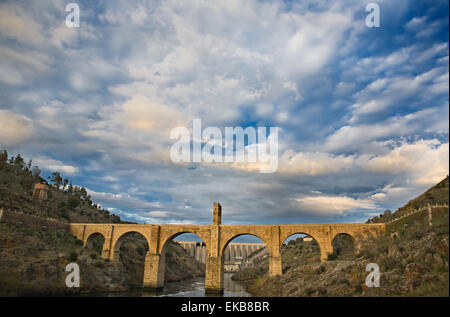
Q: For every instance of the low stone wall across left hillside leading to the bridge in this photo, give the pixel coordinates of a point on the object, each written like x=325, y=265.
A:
x=14, y=217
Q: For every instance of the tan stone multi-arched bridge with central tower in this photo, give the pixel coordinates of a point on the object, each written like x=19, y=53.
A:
x=216, y=238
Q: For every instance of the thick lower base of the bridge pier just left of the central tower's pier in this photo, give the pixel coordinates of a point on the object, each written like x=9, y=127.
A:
x=154, y=272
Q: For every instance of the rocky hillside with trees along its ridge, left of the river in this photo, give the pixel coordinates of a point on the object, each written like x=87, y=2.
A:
x=33, y=260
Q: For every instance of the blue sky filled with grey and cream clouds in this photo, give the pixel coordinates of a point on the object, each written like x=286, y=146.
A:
x=362, y=112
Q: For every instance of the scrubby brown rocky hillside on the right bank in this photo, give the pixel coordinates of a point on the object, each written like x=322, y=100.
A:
x=415, y=263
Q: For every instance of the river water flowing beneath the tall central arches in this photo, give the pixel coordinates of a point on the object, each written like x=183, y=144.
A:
x=194, y=287
